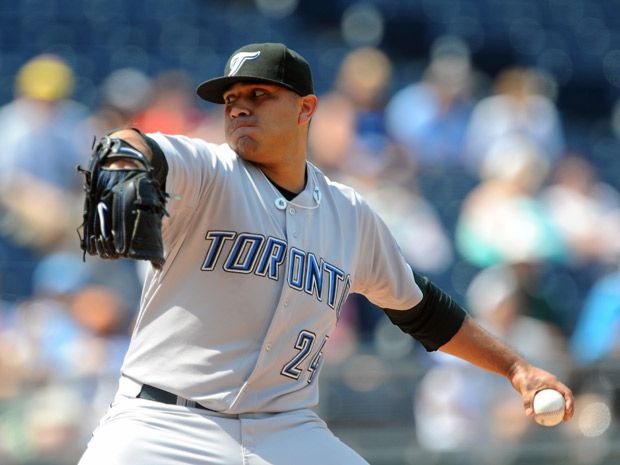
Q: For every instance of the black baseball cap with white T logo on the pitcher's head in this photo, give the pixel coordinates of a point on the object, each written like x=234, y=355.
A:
x=270, y=62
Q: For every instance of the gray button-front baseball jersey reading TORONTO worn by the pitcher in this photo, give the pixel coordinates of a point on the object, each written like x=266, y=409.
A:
x=253, y=284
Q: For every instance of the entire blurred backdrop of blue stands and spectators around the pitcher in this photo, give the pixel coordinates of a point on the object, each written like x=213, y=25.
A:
x=485, y=132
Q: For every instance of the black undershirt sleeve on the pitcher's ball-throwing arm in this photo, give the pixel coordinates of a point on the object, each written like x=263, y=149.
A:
x=434, y=320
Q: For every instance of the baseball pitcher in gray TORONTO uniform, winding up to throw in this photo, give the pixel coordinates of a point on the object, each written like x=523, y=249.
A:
x=253, y=253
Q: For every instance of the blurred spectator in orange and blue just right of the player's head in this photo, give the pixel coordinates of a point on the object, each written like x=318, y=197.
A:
x=348, y=136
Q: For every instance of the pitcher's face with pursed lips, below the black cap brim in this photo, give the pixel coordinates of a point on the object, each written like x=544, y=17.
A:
x=262, y=120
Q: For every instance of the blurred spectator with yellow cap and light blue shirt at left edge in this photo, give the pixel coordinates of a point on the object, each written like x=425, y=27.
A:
x=44, y=138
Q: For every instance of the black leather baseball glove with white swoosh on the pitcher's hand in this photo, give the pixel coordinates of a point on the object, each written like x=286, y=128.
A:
x=123, y=209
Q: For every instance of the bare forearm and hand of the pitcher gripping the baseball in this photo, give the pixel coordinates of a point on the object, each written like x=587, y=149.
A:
x=475, y=345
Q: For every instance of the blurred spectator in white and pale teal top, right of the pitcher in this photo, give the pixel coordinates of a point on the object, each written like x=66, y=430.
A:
x=501, y=220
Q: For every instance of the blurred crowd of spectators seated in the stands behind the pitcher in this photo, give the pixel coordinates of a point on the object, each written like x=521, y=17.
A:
x=474, y=174
